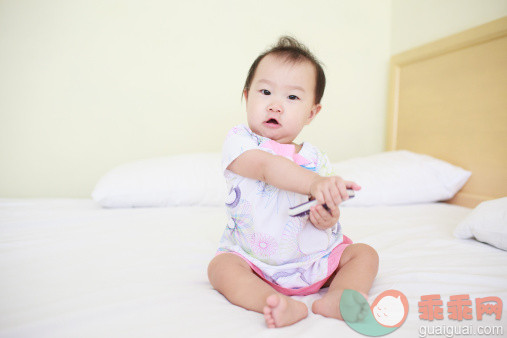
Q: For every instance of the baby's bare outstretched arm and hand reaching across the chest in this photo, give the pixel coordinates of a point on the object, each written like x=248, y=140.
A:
x=287, y=175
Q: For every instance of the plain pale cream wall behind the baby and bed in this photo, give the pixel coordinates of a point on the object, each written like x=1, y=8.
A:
x=87, y=85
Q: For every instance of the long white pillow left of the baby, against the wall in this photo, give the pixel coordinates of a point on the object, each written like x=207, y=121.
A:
x=190, y=179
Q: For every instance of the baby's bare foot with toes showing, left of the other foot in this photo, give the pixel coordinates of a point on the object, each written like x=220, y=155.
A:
x=283, y=311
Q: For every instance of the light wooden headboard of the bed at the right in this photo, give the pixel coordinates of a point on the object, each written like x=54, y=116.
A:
x=448, y=99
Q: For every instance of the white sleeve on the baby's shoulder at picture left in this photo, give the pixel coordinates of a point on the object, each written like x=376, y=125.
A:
x=238, y=140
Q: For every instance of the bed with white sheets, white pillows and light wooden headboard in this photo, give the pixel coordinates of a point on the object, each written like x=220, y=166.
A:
x=119, y=266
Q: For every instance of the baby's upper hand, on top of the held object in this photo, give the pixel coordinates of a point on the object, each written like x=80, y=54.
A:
x=331, y=190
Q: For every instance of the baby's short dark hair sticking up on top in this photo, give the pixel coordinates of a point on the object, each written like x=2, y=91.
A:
x=294, y=51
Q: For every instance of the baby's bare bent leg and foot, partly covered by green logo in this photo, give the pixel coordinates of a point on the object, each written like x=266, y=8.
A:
x=356, y=271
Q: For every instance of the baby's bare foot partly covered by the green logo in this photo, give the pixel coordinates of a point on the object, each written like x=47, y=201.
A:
x=329, y=306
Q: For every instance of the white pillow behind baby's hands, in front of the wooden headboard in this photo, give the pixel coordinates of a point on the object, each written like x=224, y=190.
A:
x=401, y=177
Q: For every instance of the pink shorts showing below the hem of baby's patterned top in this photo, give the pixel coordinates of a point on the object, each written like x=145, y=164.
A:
x=332, y=265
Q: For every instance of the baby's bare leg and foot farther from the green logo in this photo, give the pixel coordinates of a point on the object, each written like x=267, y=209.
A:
x=230, y=275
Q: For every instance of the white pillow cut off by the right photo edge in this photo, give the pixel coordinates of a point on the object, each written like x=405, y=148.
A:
x=487, y=223
